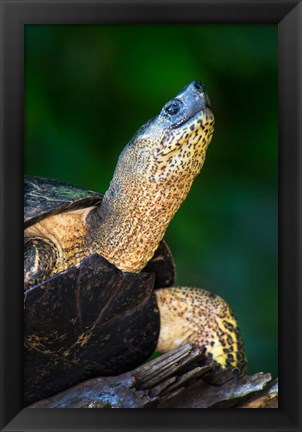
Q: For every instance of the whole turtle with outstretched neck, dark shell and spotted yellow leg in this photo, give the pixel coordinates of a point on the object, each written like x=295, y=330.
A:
x=98, y=276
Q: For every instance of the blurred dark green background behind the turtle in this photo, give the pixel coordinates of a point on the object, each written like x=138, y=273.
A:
x=89, y=88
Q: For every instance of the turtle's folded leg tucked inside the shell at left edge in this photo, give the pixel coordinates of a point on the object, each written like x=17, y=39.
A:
x=40, y=257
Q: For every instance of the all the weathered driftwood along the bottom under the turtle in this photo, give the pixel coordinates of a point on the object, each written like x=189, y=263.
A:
x=182, y=378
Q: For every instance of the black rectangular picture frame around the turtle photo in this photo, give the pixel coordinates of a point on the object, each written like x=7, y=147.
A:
x=14, y=15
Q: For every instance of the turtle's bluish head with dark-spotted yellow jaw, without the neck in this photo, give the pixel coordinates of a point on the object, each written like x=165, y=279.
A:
x=174, y=143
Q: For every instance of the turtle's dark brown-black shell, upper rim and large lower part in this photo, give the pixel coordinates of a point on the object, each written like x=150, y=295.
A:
x=90, y=320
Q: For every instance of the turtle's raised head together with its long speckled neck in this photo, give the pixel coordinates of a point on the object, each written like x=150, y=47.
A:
x=152, y=178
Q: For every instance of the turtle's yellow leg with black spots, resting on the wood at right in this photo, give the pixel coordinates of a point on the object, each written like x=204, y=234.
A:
x=198, y=317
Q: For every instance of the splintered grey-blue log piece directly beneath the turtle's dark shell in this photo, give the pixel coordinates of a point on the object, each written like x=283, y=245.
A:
x=142, y=387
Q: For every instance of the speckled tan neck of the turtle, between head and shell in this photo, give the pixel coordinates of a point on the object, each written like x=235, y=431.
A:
x=131, y=228
